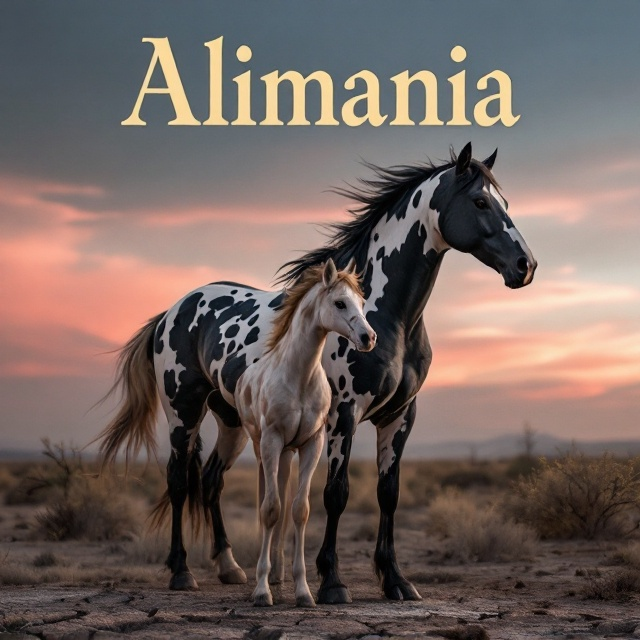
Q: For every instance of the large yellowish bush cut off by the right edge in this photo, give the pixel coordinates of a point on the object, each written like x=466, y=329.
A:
x=579, y=497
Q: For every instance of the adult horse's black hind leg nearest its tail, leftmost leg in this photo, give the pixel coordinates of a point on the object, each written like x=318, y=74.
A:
x=177, y=488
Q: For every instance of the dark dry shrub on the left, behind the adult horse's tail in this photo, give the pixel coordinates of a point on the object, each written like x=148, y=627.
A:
x=90, y=511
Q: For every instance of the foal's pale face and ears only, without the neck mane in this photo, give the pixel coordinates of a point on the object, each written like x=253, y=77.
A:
x=341, y=306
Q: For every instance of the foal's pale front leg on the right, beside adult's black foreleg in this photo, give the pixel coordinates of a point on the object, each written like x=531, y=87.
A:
x=309, y=456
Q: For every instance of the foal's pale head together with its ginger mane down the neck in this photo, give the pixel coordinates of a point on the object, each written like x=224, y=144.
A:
x=337, y=305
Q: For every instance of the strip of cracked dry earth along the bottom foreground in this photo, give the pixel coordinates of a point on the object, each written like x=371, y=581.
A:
x=472, y=612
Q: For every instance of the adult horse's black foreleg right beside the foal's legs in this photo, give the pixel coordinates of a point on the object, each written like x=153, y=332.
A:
x=340, y=429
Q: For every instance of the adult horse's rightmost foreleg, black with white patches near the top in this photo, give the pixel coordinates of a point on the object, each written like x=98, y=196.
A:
x=391, y=440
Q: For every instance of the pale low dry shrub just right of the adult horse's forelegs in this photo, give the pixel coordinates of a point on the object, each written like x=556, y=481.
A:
x=478, y=534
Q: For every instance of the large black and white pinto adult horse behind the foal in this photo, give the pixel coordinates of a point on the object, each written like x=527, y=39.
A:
x=192, y=355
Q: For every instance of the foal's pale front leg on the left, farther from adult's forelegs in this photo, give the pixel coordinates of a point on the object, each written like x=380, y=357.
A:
x=271, y=446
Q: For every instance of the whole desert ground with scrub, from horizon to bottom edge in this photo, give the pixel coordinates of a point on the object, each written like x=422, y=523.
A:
x=77, y=562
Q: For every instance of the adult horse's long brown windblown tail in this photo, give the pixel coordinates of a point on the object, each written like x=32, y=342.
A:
x=134, y=425
